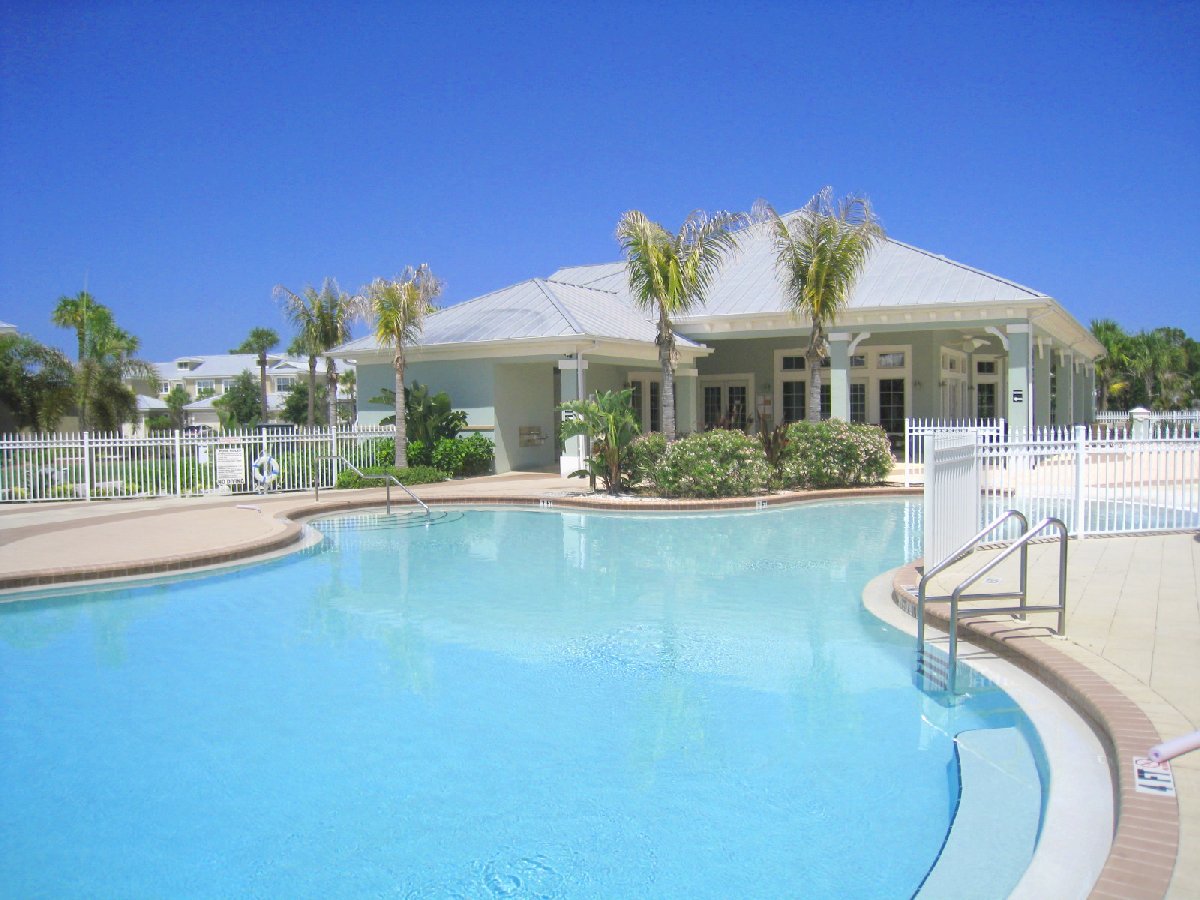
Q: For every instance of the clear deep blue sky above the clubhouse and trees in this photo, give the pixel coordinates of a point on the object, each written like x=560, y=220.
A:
x=187, y=158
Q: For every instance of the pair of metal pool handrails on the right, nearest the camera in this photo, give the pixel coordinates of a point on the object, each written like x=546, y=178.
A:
x=956, y=598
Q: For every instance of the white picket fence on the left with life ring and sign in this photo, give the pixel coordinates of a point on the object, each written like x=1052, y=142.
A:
x=88, y=466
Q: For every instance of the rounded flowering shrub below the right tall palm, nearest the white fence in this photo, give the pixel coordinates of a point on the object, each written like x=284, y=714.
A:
x=835, y=454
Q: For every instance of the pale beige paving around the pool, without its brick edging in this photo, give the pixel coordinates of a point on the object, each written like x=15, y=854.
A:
x=1135, y=603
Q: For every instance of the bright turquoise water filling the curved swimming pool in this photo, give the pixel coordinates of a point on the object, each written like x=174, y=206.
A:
x=502, y=704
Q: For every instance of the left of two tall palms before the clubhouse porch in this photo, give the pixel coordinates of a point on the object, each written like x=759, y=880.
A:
x=669, y=277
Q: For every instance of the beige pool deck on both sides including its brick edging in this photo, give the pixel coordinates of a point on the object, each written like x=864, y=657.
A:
x=1131, y=659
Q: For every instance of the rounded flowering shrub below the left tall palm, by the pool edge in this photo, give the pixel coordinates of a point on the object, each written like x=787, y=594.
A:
x=713, y=464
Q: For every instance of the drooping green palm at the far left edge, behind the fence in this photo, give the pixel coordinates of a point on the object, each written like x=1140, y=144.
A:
x=37, y=382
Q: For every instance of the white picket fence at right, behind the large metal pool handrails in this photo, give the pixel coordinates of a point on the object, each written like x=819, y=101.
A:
x=1097, y=481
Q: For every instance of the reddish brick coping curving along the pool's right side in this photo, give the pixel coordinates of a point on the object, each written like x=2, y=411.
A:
x=1147, y=838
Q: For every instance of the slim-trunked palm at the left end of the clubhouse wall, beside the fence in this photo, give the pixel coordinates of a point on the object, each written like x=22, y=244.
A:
x=399, y=309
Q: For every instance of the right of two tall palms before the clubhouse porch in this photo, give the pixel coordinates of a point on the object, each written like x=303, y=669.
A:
x=820, y=253
